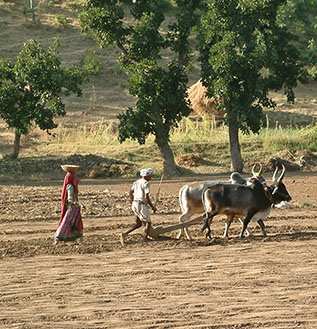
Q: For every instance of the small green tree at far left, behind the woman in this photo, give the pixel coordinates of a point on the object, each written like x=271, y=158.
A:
x=31, y=89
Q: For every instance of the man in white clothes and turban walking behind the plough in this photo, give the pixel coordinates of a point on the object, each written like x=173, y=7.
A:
x=140, y=197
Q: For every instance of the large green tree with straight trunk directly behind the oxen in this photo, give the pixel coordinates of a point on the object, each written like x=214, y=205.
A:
x=245, y=53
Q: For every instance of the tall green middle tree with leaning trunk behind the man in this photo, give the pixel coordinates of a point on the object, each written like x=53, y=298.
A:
x=159, y=85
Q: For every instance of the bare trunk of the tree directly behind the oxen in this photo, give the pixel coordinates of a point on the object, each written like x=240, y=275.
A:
x=236, y=158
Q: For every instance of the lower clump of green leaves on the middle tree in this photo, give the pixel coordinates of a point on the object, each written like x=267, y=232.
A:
x=160, y=105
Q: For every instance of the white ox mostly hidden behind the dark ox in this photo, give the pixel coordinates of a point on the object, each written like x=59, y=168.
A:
x=190, y=201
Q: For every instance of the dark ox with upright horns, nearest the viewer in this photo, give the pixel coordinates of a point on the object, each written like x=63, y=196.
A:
x=252, y=202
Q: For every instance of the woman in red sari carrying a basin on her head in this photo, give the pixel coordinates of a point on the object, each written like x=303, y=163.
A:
x=70, y=226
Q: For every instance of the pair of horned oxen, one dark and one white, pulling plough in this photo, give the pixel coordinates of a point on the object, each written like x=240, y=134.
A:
x=245, y=199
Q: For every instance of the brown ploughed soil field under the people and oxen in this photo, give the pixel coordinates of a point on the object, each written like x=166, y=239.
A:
x=223, y=283
